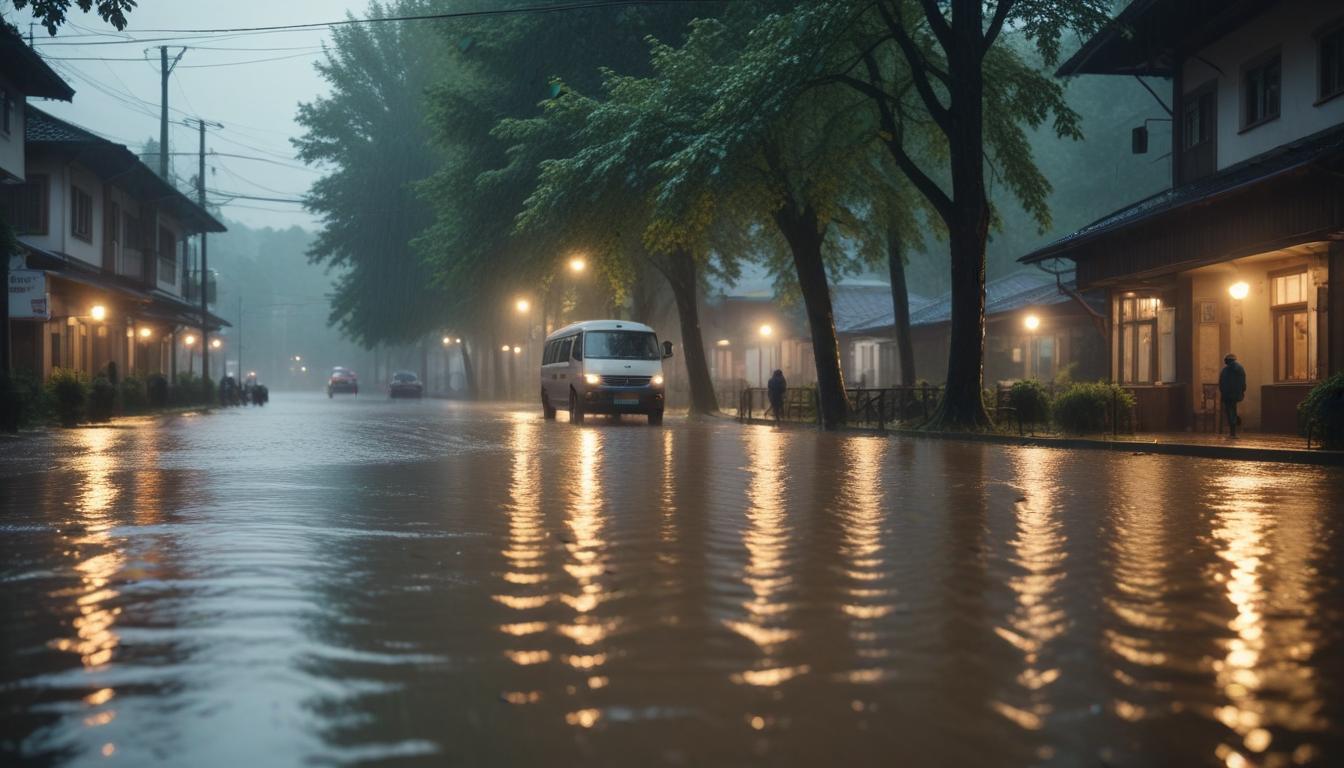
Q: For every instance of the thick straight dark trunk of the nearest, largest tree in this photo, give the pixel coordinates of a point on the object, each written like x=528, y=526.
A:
x=962, y=407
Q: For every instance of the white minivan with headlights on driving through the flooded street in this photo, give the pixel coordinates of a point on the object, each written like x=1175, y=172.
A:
x=604, y=367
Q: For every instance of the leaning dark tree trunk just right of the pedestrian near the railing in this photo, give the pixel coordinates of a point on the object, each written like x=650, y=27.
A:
x=804, y=236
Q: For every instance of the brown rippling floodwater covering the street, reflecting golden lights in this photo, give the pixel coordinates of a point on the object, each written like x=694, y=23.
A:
x=362, y=582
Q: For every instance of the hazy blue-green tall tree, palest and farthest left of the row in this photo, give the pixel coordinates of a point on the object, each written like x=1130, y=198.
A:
x=372, y=138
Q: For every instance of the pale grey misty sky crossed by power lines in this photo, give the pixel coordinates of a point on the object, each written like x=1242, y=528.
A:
x=255, y=102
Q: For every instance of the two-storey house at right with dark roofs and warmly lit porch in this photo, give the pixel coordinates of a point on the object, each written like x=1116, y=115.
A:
x=1245, y=252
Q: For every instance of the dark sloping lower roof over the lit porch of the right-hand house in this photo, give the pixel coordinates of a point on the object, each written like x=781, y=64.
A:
x=1326, y=145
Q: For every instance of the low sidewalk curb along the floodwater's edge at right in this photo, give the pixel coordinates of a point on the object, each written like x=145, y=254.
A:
x=1232, y=453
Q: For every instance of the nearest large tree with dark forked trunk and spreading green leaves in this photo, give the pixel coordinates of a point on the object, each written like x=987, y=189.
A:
x=979, y=92
